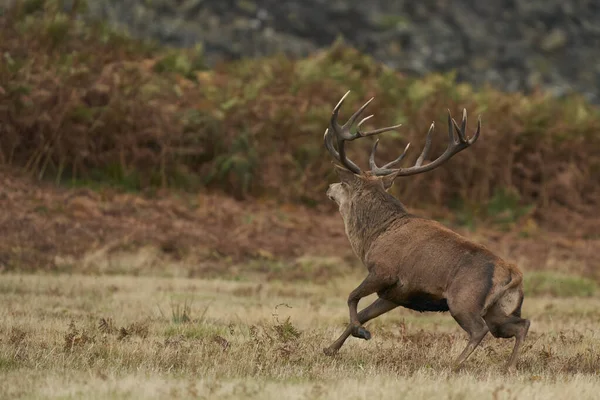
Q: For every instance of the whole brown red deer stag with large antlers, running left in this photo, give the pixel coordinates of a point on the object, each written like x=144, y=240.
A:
x=416, y=262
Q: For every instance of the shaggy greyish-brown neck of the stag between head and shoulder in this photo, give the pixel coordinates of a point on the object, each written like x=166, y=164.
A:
x=366, y=217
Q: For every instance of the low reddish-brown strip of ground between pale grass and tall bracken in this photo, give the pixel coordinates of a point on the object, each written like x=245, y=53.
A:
x=44, y=227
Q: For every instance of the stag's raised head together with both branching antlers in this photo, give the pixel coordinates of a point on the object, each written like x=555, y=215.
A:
x=354, y=181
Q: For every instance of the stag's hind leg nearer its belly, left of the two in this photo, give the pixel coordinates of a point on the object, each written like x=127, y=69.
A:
x=468, y=317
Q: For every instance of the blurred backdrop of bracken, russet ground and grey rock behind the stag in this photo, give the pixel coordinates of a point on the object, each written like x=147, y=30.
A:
x=193, y=129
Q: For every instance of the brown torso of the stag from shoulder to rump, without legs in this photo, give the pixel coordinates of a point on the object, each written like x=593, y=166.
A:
x=436, y=264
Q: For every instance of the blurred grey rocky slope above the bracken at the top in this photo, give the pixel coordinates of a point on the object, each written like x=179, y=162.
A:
x=510, y=44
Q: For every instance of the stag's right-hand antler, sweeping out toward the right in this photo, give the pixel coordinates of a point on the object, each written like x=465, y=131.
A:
x=455, y=145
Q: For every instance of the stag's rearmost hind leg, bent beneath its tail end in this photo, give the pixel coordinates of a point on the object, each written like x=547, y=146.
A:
x=503, y=326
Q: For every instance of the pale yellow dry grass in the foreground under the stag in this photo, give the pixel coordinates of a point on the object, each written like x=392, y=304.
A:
x=76, y=336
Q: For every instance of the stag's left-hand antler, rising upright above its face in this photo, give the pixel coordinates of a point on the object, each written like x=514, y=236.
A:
x=342, y=134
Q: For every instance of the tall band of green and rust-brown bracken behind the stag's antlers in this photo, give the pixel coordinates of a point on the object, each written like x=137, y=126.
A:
x=83, y=104
